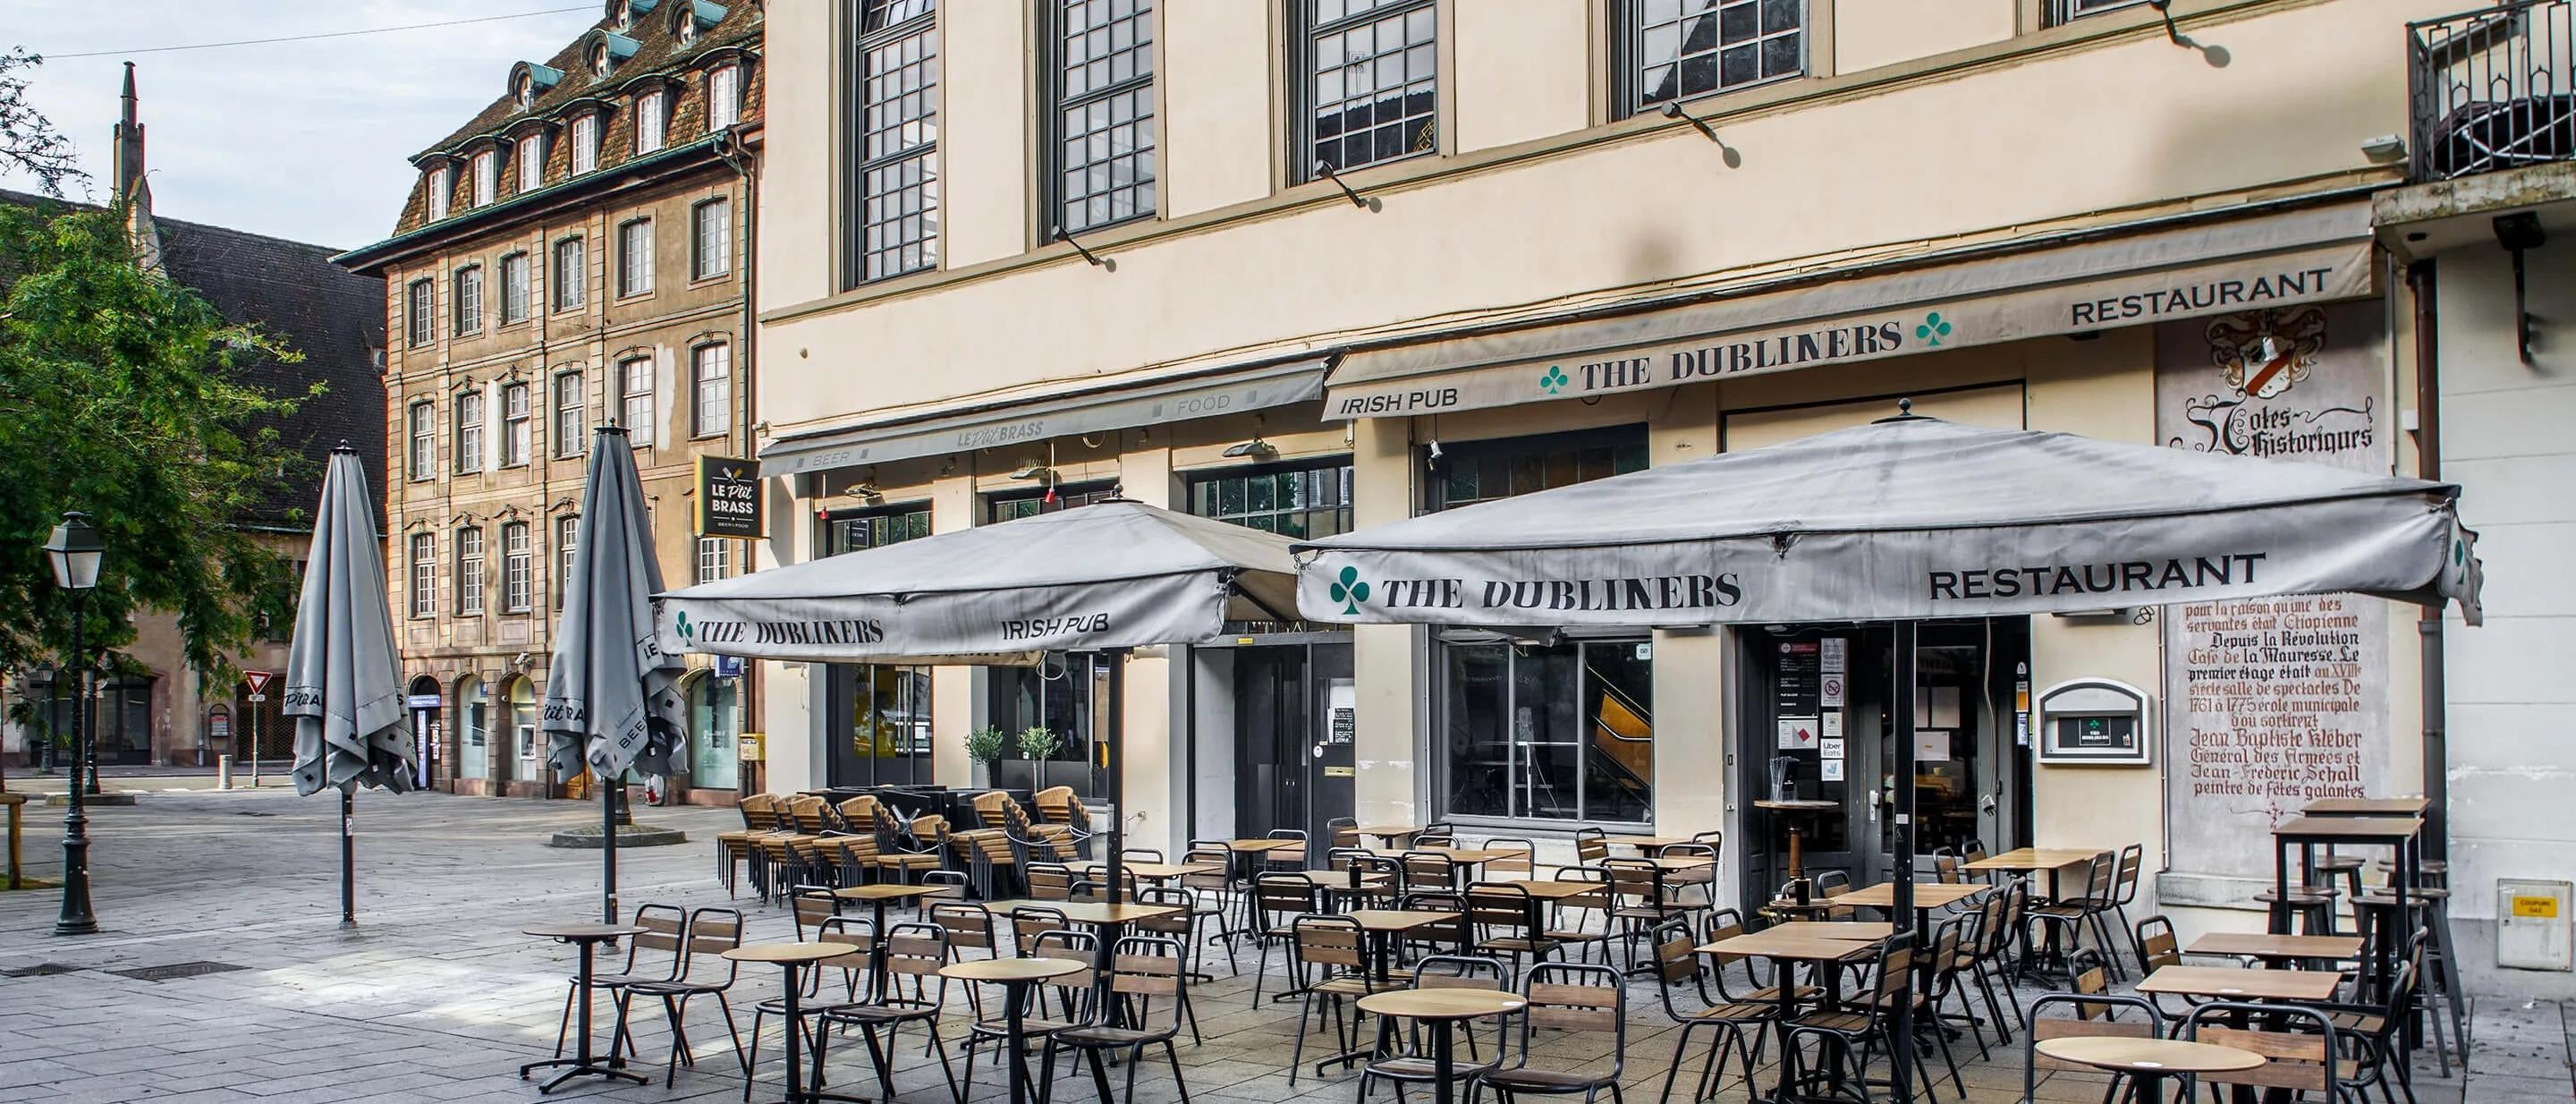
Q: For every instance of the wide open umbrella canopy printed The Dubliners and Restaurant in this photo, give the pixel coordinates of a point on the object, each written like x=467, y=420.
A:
x=1902, y=520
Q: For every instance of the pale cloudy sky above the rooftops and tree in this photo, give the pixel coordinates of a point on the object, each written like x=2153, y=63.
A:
x=305, y=141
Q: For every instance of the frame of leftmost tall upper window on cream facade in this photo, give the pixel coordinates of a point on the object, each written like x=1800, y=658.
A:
x=859, y=246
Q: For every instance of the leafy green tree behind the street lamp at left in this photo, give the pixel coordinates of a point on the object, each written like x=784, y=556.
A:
x=122, y=396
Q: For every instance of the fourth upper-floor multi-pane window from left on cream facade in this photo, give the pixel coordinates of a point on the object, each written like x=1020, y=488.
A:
x=1696, y=48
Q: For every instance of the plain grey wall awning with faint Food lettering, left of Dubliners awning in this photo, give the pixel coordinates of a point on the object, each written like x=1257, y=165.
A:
x=1063, y=414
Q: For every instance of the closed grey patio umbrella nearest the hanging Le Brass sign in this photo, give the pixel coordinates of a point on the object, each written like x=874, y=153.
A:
x=612, y=693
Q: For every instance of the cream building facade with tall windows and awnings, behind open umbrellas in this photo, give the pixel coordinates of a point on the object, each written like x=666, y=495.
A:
x=1338, y=262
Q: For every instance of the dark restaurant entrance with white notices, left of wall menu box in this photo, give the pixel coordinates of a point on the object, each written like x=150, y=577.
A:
x=1820, y=716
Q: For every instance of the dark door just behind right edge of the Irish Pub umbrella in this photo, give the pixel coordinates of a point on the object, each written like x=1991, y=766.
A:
x=1294, y=713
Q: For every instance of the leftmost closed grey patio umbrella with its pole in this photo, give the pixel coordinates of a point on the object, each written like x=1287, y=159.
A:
x=344, y=677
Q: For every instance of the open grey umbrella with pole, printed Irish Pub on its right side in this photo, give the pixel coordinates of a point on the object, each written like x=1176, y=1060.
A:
x=1099, y=579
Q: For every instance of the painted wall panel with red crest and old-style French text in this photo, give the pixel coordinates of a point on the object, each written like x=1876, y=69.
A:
x=2273, y=703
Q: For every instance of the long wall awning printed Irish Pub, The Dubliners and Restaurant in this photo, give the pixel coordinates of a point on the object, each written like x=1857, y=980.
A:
x=2273, y=262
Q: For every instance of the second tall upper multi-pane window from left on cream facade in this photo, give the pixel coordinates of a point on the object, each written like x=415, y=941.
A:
x=1104, y=112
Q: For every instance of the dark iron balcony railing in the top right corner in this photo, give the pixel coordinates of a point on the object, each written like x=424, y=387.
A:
x=2492, y=89
